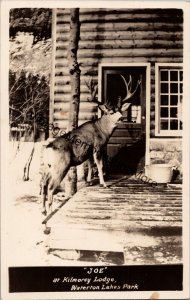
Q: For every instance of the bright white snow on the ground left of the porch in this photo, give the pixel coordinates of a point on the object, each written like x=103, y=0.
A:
x=25, y=235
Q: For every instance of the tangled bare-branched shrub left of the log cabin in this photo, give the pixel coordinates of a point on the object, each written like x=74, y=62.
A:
x=28, y=105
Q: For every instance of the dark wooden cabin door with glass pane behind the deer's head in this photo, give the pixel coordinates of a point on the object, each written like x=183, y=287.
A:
x=126, y=148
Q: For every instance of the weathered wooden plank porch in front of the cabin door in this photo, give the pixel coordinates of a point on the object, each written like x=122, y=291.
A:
x=128, y=223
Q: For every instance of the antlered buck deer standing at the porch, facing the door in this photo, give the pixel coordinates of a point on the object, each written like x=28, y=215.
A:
x=77, y=146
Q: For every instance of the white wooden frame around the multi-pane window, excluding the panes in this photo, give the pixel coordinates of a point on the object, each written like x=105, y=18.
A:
x=158, y=131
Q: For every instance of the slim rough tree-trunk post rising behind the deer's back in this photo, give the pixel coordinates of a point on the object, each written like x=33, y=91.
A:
x=74, y=70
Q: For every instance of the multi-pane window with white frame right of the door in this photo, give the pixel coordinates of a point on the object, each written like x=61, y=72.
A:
x=169, y=94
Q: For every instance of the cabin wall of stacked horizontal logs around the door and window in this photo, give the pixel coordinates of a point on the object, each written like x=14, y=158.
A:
x=111, y=36
